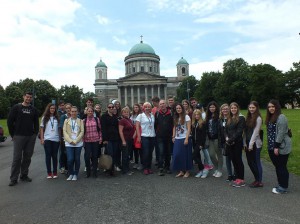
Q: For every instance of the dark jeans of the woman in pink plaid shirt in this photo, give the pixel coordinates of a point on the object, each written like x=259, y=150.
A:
x=91, y=152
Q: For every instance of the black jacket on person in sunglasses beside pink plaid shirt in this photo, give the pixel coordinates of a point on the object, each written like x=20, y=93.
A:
x=110, y=127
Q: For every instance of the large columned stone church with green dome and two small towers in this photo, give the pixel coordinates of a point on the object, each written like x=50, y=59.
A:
x=142, y=79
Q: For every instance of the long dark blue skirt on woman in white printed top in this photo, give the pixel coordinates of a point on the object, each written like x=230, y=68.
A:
x=182, y=156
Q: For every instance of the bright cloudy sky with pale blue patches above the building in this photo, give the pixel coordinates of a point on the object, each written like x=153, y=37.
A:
x=62, y=40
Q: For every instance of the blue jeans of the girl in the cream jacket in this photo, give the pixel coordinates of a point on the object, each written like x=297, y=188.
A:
x=73, y=155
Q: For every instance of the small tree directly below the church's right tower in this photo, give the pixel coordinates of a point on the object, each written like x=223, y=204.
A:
x=187, y=88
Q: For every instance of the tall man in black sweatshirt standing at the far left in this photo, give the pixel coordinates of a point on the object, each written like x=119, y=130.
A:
x=23, y=126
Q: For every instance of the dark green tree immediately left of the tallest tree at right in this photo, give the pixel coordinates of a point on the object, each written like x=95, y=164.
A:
x=206, y=88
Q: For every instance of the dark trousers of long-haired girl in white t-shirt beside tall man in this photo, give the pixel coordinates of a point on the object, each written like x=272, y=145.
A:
x=51, y=150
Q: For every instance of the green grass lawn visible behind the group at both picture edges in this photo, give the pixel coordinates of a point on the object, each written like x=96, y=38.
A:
x=293, y=117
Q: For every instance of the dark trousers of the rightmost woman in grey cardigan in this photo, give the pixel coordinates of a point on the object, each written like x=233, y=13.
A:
x=280, y=163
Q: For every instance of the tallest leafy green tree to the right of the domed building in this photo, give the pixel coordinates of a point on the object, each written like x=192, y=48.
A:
x=232, y=85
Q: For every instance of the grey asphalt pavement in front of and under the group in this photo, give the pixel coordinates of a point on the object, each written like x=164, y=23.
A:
x=140, y=199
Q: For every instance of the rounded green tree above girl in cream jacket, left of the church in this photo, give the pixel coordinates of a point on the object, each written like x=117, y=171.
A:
x=71, y=94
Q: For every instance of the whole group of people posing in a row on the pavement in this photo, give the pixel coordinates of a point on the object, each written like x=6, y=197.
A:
x=180, y=133
